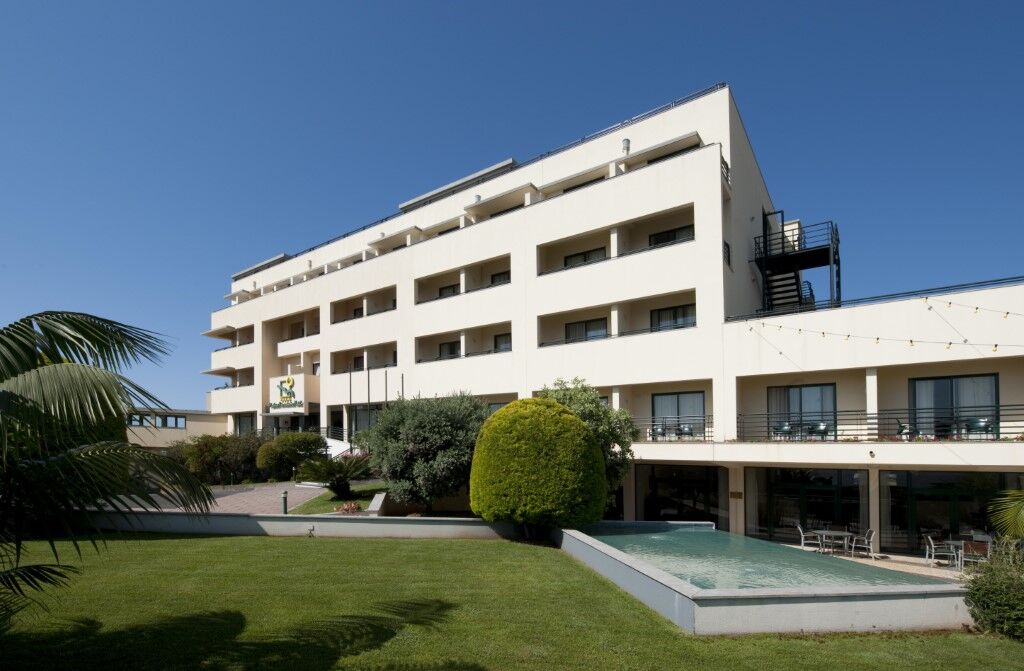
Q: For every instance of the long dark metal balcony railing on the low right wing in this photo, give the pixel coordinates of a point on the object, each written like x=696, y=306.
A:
x=947, y=425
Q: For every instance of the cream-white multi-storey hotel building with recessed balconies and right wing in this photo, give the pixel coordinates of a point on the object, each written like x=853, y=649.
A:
x=651, y=260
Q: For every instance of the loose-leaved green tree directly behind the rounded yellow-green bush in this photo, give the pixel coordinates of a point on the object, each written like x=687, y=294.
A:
x=613, y=429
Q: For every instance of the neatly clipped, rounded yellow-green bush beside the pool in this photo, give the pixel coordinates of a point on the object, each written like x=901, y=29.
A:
x=537, y=465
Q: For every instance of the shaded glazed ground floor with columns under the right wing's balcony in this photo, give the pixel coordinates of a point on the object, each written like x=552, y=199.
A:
x=904, y=506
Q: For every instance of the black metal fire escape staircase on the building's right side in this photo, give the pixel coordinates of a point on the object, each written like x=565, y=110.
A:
x=784, y=251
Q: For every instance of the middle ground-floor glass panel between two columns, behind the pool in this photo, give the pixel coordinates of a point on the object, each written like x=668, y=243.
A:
x=779, y=499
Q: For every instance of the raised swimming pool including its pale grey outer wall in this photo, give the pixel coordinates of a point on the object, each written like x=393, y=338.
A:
x=712, y=582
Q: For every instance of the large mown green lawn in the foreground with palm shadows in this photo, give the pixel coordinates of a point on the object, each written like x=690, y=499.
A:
x=219, y=603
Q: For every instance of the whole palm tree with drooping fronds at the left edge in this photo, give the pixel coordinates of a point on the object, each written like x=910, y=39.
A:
x=63, y=446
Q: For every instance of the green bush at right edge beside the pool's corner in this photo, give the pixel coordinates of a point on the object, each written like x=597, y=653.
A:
x=996, y=592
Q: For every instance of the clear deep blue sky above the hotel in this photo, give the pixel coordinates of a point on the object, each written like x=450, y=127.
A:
x=149, y=150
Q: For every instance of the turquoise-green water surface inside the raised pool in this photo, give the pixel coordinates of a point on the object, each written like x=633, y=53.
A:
x=713, y=560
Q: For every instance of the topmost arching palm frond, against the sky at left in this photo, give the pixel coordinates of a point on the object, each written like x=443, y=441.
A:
x=77, y=338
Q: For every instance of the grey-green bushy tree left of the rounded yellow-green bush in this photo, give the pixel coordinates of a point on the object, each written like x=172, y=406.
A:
x=423, y=448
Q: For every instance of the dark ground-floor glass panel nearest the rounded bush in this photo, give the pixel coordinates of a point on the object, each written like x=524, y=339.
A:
x=676, y=493
